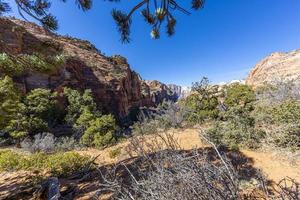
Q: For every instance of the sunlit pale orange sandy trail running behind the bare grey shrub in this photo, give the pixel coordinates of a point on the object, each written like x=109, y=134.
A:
x=275, y=165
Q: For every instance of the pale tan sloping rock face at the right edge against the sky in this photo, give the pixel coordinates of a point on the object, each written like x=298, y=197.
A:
x=278, y=66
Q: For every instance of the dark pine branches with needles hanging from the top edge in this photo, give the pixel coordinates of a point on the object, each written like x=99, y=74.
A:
x=155, y=12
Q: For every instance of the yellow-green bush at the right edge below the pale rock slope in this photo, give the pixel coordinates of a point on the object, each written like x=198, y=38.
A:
x=281, y=122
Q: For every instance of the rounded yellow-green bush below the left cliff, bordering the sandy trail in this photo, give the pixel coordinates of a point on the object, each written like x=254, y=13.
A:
x=101, y=132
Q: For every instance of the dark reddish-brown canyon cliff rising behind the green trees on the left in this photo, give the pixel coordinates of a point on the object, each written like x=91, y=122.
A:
x=115, y=86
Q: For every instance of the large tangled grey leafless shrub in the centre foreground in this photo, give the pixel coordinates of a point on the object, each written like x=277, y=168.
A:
x=163, y=171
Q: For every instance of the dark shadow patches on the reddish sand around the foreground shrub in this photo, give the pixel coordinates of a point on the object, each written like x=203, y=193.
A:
x=85, y=185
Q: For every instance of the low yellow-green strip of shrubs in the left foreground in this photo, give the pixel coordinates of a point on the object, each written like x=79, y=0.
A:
x=58, y=164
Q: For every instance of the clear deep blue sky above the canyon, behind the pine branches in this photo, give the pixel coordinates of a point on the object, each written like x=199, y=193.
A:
x=223, y=41
